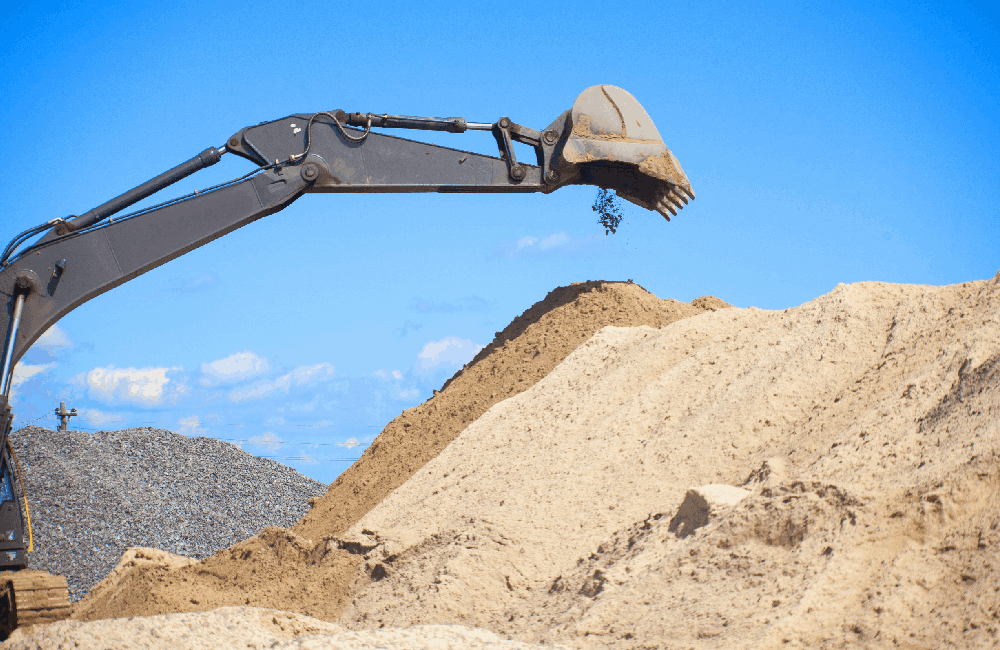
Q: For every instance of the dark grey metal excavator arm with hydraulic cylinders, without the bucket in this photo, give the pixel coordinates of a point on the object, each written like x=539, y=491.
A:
x=83, y=258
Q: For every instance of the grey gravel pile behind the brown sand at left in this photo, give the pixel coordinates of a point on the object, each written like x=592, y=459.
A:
x=94, y=495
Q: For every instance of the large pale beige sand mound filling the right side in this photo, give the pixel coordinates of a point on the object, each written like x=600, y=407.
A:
x=864, y=423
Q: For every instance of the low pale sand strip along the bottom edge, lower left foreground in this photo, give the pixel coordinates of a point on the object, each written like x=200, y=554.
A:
x=239, y=628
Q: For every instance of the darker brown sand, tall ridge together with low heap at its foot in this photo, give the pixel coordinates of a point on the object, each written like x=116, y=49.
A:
x=301, y=570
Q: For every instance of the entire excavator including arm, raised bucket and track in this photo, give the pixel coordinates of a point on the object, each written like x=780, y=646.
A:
x=606, y=140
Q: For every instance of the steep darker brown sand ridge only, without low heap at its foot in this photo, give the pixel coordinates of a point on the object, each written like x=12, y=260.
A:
x=523, y=353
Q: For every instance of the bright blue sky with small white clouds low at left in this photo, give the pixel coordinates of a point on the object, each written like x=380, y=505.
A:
x=827, y=143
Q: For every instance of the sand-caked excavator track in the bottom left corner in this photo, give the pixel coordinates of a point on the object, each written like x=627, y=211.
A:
x=31, y=598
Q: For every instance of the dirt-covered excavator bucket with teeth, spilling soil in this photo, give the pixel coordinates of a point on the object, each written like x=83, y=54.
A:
x=617, y=147
